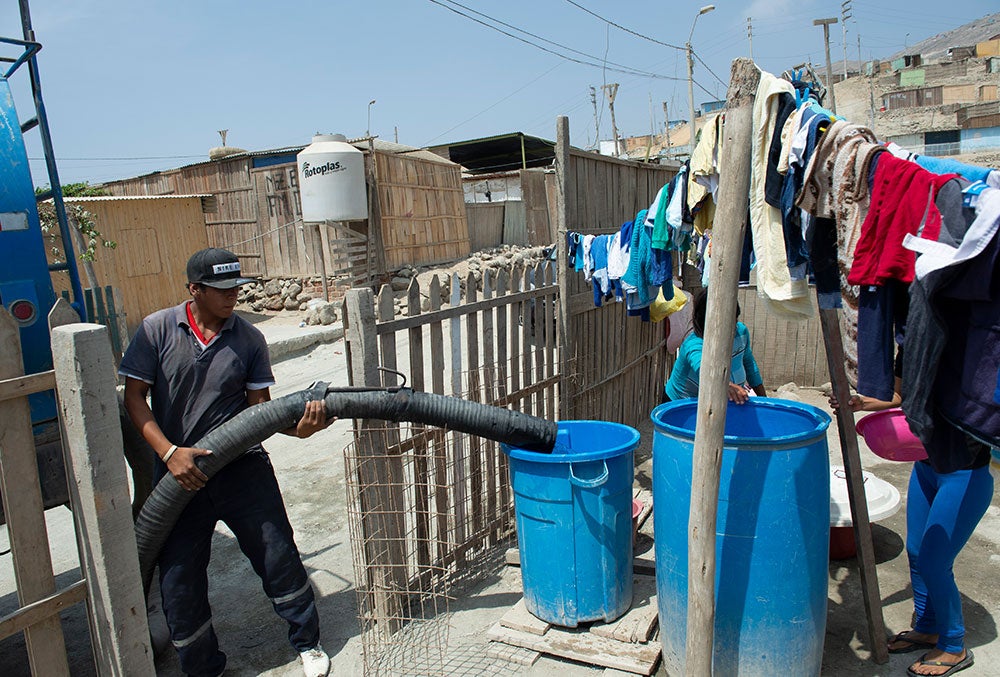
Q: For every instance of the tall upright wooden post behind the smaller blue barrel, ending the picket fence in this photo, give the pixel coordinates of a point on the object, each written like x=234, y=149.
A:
x=562, y=269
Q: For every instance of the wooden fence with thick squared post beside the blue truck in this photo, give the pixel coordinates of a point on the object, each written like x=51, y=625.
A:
x=84, y=376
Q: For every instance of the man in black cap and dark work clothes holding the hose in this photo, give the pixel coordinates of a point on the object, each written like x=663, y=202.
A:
x=203, y=365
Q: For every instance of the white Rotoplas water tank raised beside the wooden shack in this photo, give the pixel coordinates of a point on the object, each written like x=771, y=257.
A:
x=332, y=180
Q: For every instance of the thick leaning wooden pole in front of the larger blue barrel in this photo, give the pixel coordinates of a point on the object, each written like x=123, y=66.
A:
x=730, y=223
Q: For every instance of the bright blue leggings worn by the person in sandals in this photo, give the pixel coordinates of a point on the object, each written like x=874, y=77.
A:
x=942, y=511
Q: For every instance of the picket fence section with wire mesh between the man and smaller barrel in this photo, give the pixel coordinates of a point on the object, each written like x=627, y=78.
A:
x=430, y=509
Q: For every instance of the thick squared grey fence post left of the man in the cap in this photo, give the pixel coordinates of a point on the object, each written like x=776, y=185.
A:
x=88, y=404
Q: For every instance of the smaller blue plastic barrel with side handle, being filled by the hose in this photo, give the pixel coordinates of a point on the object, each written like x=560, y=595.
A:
x=574, y=522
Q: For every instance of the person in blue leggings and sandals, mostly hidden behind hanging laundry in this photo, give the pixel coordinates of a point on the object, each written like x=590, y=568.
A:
x=942, y=511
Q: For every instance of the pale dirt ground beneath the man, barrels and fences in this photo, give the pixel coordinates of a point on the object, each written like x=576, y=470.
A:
x=311, y=473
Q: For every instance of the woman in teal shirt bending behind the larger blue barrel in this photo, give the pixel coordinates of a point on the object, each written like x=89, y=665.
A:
x=684, y=376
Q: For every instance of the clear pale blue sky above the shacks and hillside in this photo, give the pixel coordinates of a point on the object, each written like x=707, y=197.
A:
x=133, y=86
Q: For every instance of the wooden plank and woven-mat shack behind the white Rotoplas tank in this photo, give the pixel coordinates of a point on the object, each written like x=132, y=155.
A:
x=417, y=212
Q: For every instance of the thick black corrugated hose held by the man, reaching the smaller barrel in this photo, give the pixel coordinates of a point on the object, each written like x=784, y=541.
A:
x=253, y=425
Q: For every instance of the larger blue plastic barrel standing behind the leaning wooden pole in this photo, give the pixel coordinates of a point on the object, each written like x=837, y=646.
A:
x=772, y=536
